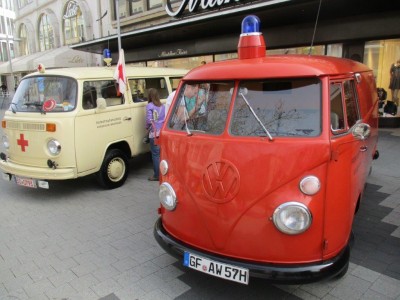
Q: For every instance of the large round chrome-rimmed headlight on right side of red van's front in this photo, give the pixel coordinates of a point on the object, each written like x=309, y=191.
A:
x=292, y=218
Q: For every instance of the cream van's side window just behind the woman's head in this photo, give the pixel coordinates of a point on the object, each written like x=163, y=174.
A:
x=140, y=86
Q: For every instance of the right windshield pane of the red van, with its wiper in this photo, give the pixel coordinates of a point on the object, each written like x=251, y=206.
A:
x=284, y=107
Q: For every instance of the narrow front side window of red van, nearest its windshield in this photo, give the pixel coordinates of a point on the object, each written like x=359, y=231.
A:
x=337, y=112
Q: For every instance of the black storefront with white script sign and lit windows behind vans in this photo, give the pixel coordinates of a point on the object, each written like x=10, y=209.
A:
x=196, y=31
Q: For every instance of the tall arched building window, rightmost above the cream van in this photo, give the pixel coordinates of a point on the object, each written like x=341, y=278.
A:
x=74, y=24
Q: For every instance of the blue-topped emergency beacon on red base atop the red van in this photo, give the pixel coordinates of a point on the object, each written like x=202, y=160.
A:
x=251, y=42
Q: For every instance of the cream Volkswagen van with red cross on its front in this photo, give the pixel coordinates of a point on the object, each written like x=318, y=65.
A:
x=72, y=122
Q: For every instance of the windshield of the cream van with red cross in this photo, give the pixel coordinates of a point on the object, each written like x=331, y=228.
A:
x=45, y=94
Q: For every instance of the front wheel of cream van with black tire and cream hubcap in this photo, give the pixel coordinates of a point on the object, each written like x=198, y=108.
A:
x=114, y=170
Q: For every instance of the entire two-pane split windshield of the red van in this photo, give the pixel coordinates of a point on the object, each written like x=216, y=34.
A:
x=262, y=108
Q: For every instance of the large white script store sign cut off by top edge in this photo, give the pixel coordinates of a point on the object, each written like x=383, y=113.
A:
x=193, y=5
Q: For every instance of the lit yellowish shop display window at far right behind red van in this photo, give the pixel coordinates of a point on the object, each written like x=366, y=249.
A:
x=379, y=56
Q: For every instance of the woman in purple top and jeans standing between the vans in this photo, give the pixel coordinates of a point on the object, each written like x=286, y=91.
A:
x=155, y=117
